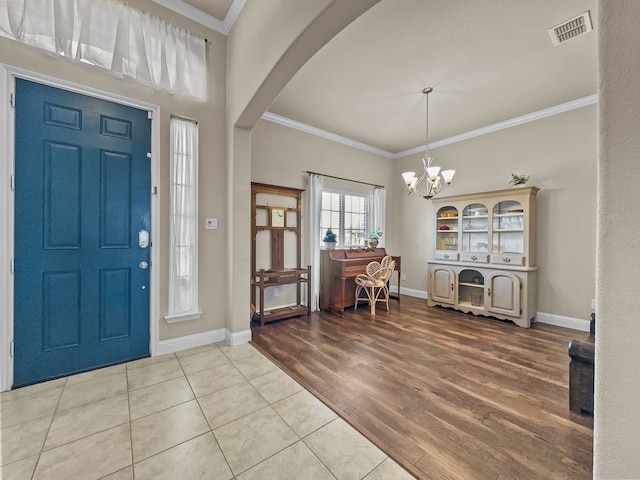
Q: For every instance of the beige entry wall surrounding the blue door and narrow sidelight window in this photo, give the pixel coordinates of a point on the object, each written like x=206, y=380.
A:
x=211, y=119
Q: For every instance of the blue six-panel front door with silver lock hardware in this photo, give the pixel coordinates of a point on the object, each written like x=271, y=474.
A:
x=82, y=207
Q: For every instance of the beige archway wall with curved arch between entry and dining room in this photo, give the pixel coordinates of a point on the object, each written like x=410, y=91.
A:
x=269, y=42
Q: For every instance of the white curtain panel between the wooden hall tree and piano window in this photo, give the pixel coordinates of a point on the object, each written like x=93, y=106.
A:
x=314, y=208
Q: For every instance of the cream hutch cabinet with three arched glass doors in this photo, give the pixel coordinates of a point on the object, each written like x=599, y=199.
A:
x=484, y=254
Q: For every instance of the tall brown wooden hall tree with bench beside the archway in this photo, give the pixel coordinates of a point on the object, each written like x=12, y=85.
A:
x=276, y=212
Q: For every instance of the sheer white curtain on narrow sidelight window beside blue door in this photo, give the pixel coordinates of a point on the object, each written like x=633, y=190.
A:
x=183, y=264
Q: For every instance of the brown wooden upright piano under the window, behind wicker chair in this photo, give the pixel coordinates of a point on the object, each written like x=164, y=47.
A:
x=338, y=269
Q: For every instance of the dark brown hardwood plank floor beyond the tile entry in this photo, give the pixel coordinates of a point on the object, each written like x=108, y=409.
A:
x=445, y=394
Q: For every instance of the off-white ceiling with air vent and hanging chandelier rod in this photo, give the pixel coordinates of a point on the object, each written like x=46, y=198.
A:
x=488, y=61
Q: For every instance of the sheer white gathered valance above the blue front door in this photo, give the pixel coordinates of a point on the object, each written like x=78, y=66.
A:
x=114, y=36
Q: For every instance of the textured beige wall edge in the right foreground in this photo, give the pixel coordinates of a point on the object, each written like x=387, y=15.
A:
x=617, y=423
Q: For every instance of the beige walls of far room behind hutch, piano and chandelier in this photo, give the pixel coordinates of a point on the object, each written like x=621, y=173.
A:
x=558, y=152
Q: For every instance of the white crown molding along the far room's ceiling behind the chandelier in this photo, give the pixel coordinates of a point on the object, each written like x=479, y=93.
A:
x=530, y=117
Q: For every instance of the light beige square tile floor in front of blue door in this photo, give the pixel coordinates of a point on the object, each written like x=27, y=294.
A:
x=213, y=412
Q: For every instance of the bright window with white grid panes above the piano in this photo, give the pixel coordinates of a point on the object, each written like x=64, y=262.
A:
x=349, y=215
